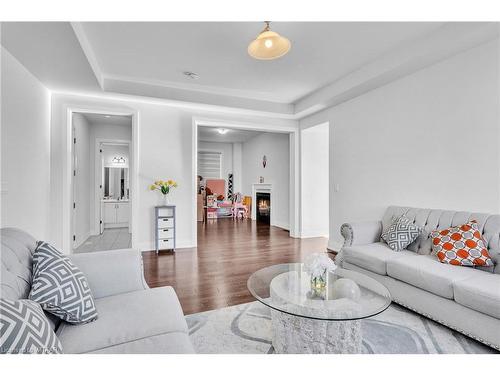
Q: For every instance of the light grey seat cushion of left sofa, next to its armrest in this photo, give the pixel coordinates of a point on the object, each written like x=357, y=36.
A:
x=124, y=318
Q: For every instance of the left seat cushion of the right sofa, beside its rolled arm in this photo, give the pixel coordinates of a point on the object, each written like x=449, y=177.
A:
x=372, y=257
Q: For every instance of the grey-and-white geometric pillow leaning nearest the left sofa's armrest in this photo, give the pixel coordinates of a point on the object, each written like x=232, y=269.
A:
x=60, y=287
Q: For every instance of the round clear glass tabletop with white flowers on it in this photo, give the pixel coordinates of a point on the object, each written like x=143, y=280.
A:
x=345, y=295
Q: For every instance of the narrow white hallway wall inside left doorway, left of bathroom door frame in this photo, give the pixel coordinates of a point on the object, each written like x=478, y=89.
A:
x=82, y=195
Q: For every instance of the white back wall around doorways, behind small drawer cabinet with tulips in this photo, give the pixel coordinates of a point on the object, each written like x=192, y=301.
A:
x=164, y=141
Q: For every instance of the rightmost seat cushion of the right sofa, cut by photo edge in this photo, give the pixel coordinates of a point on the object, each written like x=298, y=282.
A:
x=480, y=293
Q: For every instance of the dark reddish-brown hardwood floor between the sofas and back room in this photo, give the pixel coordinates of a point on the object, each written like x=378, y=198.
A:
x=215, y=274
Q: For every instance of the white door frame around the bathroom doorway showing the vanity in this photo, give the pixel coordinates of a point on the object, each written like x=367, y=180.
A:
x=98, y=169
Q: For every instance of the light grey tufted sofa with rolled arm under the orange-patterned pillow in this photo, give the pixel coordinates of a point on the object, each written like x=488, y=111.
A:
x=463, y=298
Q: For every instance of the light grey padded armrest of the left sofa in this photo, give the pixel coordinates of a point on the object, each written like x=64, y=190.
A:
x=112, y=272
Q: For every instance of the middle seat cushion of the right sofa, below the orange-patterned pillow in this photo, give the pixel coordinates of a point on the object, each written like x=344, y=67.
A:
x=428, y=273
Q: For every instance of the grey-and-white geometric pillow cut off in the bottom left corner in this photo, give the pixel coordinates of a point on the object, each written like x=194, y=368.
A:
x=24, y=329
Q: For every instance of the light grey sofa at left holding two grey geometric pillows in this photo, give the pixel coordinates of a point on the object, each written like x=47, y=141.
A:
x=132, y=317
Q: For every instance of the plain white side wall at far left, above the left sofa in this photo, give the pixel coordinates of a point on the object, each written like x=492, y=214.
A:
x=25, y=154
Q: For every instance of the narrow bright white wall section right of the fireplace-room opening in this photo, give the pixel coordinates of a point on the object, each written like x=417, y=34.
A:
x=315, y=182
